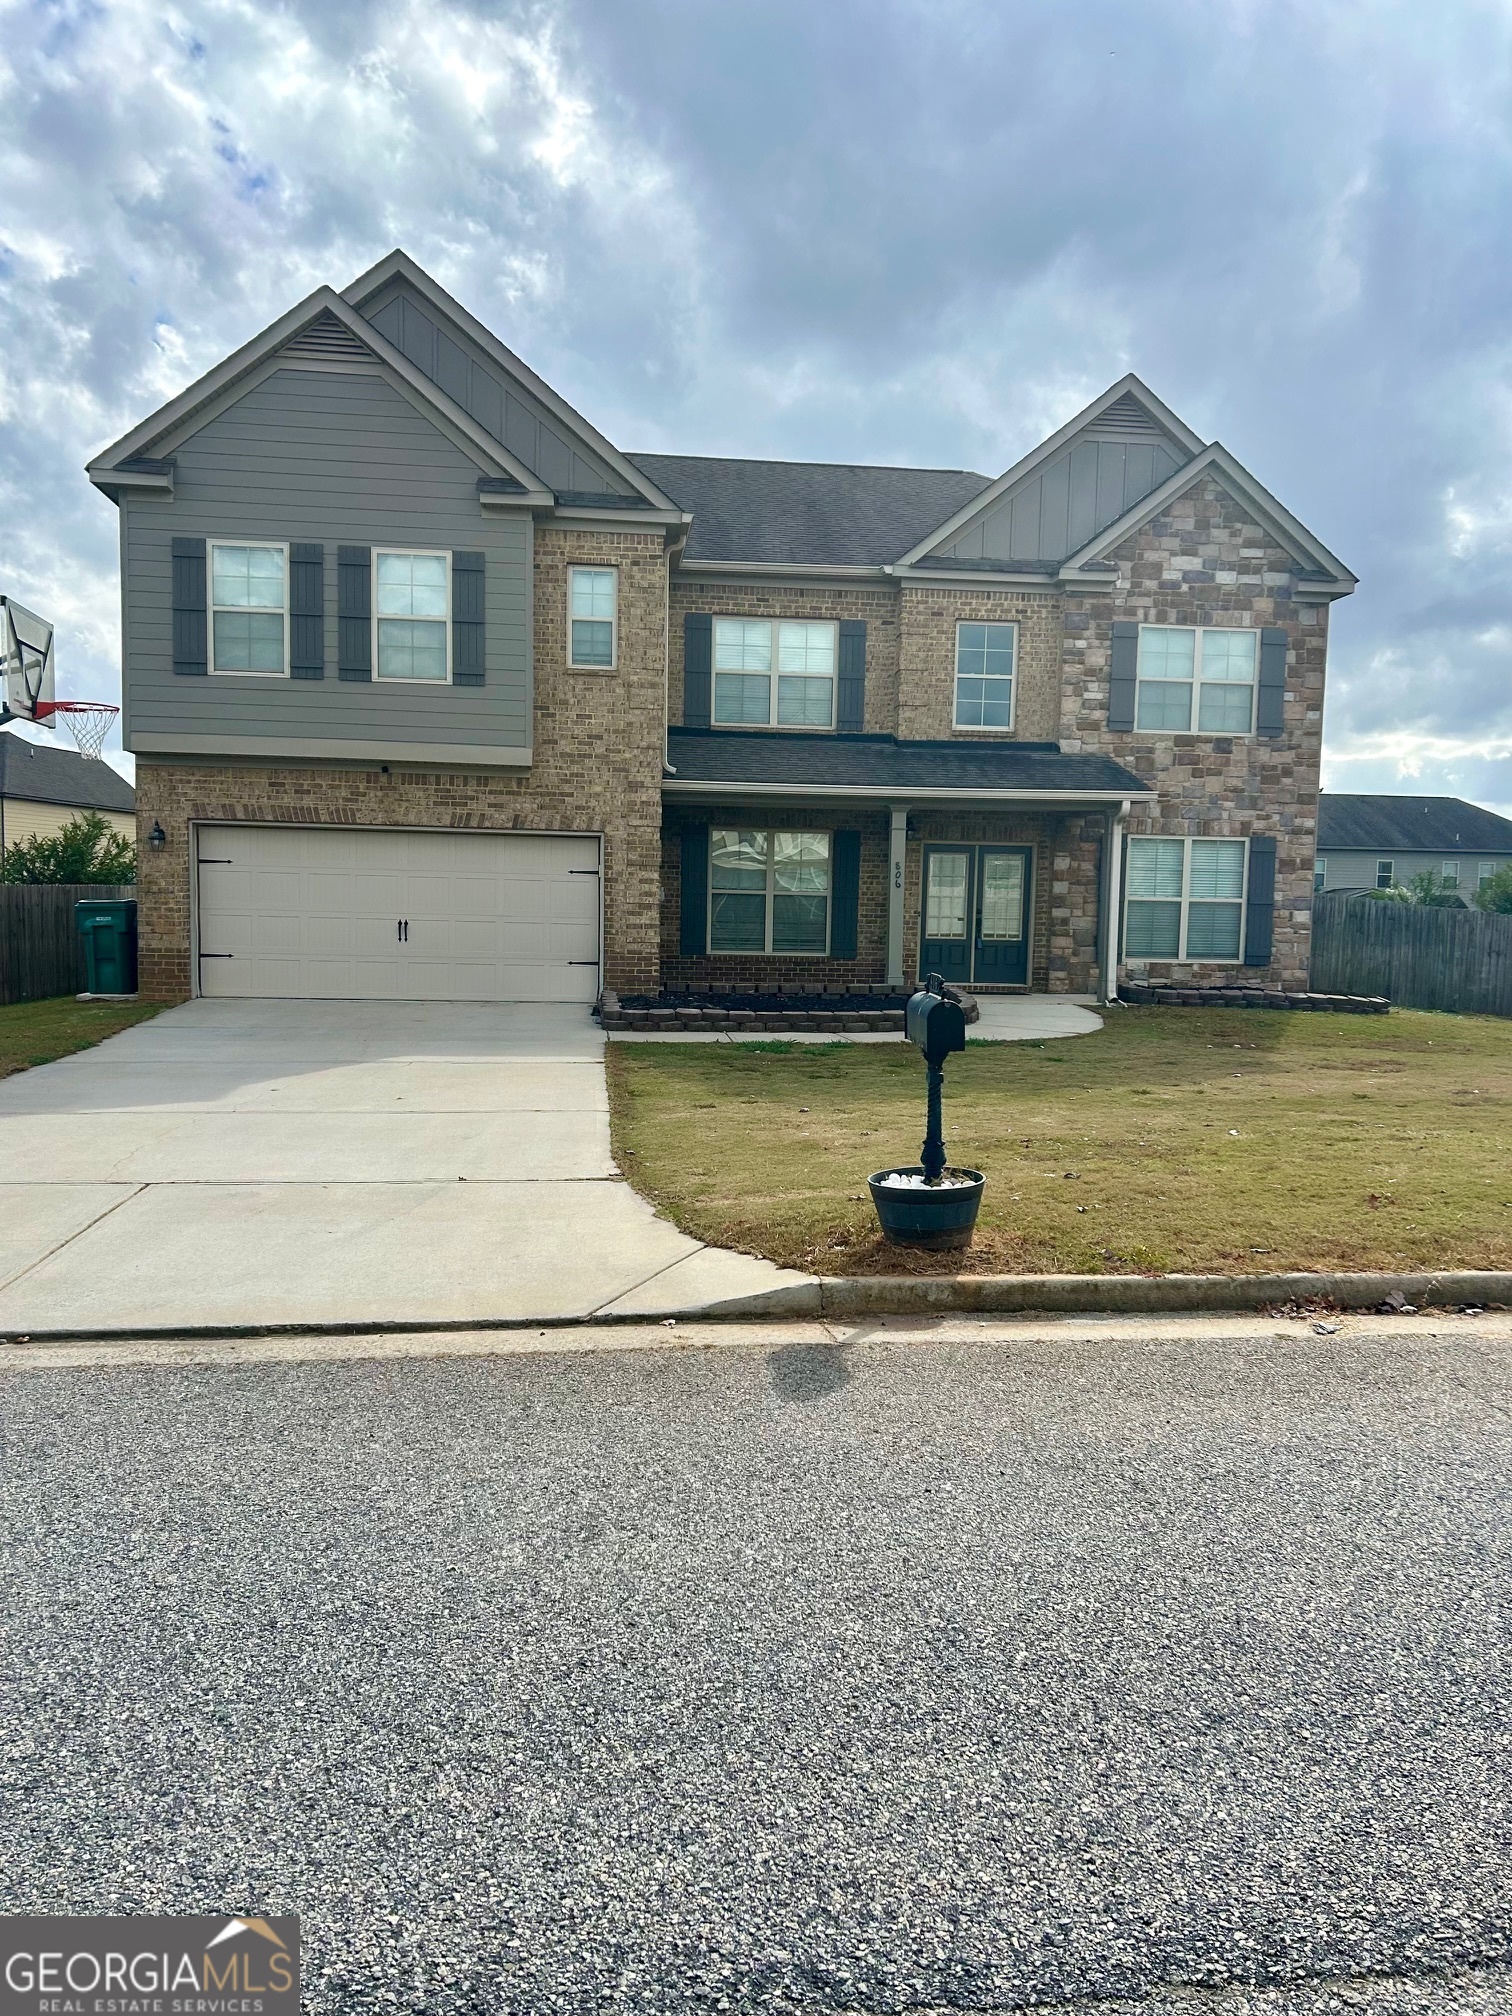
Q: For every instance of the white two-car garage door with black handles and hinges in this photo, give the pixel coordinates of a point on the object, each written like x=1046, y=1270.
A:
x=346, y=914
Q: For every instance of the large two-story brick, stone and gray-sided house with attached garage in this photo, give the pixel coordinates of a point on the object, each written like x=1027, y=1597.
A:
x=436, y=692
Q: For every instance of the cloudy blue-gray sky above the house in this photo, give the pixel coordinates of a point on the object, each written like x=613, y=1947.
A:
x=876, y=231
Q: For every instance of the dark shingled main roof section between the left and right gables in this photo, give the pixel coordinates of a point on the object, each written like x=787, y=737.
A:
x=805, y=513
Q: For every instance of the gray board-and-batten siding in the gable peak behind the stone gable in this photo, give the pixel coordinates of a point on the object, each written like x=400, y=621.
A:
x=1076, y=495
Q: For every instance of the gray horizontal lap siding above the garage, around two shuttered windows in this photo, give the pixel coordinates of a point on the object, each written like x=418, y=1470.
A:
x=334, y=459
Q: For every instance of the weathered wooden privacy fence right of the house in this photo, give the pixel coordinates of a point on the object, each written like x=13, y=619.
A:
x=1420, y=959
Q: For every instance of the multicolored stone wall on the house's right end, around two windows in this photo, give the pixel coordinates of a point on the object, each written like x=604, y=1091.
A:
x=1205, y=561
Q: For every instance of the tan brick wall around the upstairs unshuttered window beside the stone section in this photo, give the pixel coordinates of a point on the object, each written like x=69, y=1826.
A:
x=928, y=618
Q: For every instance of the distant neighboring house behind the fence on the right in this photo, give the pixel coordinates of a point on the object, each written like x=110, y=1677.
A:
x=1380, y=842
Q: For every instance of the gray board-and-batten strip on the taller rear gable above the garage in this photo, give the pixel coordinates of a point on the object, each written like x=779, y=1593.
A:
x=493, y=398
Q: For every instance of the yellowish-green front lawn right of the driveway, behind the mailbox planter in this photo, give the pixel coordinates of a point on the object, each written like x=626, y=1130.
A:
x=1174, y=1140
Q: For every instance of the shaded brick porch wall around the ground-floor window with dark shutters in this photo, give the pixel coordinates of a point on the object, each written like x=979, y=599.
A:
x=729, y=973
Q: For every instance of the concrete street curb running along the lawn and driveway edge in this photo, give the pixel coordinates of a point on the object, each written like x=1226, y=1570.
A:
x=860, y=1297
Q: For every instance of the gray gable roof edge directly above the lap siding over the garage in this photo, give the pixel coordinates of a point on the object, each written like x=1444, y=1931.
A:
x=313, y=324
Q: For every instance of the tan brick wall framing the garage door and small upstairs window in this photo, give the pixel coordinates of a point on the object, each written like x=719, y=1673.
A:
x=598, y=769
